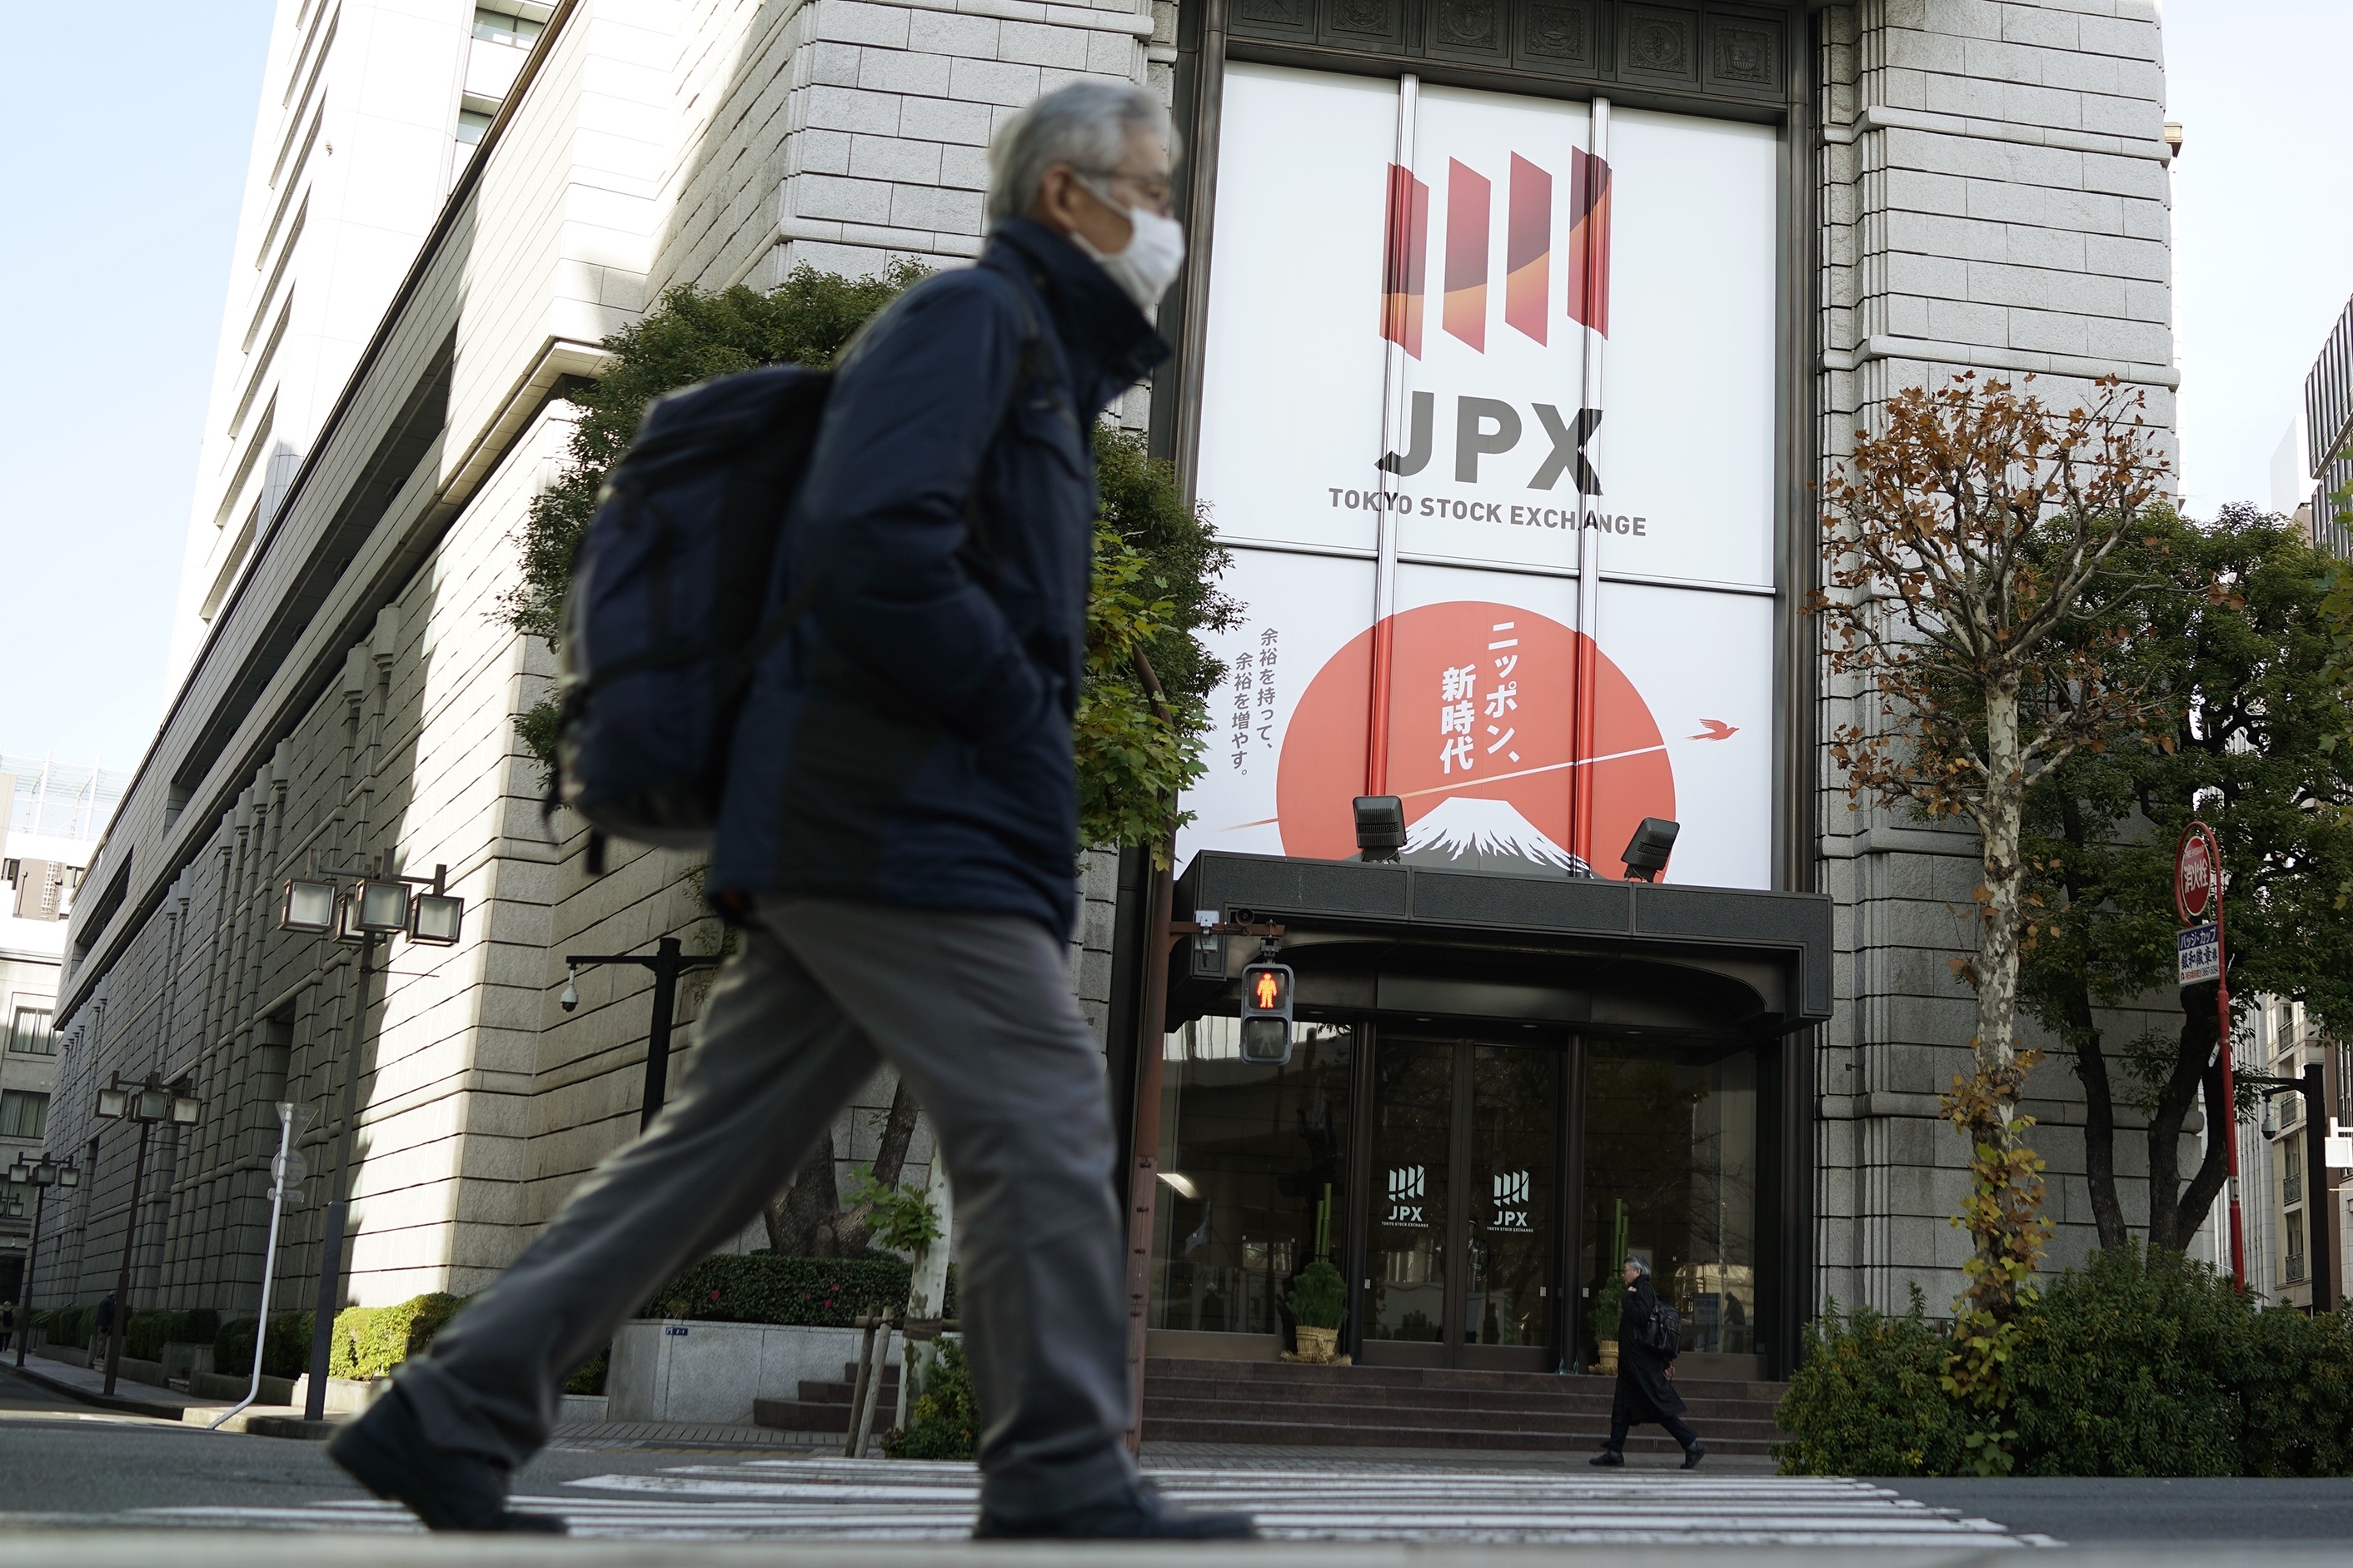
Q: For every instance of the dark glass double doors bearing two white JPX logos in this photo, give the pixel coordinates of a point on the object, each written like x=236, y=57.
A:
x=1465, y=1200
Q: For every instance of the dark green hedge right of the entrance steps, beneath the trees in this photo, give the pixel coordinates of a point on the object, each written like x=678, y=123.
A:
x=2140, y=1365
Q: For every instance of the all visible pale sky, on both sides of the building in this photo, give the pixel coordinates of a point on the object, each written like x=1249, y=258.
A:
x=124, y=210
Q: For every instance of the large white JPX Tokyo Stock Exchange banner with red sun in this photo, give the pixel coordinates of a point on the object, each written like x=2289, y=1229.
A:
x=1491, y=429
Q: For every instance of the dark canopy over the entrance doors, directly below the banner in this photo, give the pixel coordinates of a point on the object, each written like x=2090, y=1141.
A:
x=1620, y=958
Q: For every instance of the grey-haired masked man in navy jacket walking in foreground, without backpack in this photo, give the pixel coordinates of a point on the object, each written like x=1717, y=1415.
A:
x=898, y=857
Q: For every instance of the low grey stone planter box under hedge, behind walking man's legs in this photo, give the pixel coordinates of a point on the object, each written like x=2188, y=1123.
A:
x=667, y=1369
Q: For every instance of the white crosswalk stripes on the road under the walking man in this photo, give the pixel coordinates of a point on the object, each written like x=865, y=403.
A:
x=935, y=1501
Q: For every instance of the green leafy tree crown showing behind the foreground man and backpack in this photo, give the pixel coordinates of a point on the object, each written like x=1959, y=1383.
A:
x=1154, y=575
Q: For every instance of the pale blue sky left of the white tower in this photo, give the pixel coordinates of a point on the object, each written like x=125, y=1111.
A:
x=131, y=128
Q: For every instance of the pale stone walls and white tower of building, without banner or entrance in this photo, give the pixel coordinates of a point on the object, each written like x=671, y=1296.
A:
x=1966, y=185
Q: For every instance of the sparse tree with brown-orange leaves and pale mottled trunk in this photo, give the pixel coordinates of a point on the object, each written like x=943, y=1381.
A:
x=1964, y=544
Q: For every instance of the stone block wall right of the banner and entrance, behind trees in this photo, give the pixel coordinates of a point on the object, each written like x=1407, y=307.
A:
x=1994, y=196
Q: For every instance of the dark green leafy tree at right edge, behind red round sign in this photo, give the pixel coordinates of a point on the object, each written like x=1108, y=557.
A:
x=2234, y=645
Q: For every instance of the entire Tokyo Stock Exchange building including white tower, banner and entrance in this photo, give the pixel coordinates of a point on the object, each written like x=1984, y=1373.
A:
x=1467, y=281
